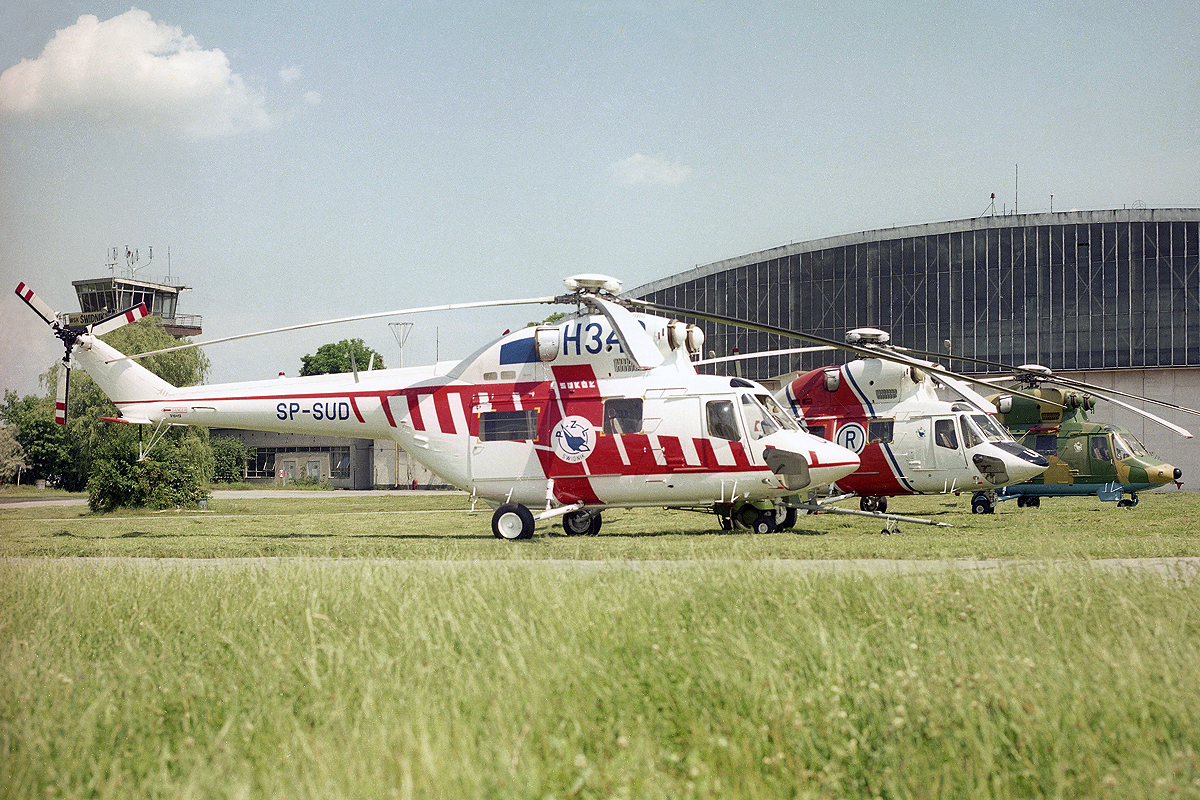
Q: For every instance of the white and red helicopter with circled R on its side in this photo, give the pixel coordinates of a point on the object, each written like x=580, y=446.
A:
x=917, y=428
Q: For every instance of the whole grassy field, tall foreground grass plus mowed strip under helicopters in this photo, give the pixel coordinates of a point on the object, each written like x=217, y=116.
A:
x=663, y=659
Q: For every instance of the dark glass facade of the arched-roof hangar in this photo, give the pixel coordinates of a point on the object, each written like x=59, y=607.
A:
x=1076, y=291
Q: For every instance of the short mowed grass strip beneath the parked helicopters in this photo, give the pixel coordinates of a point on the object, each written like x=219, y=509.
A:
x=442, y=527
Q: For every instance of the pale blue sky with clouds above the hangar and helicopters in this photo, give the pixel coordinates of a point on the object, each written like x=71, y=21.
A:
x=309, y=161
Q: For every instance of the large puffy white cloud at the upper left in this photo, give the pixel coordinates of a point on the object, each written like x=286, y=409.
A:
x=133, y=71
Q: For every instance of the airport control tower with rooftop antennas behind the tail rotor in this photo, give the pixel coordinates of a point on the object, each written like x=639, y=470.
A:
x=100, y=298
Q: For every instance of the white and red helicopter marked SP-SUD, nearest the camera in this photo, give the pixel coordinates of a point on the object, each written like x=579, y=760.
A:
x=601, y=411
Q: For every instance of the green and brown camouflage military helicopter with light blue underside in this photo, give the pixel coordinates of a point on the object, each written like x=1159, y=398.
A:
x=1087, y=458
